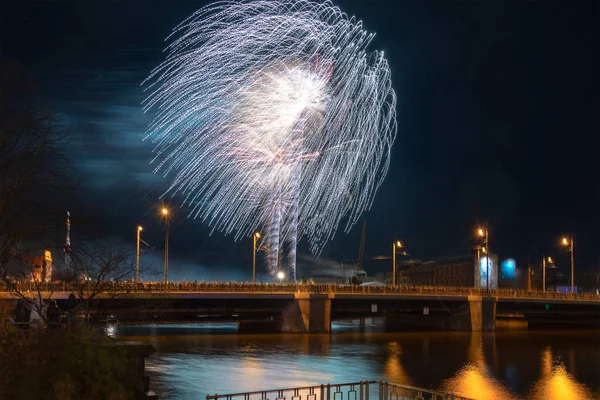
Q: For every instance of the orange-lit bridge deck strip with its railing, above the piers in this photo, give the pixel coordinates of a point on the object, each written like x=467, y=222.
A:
x=290, y=291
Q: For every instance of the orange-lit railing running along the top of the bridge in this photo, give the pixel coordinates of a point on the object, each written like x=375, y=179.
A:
x=234, y=287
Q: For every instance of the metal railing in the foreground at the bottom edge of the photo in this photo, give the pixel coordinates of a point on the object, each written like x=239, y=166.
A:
x=363, y=390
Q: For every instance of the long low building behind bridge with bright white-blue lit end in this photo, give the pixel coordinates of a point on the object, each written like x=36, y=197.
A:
x=459, y=271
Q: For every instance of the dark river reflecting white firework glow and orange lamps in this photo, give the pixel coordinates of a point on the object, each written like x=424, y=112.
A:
x=194, y=360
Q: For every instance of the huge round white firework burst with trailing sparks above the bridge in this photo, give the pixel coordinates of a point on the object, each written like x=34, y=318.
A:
x=272, y=115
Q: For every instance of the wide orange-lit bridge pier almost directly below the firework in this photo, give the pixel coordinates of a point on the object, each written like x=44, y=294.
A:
x=308, y=313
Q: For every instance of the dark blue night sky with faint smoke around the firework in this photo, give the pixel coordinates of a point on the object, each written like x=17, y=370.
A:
x=497, y=124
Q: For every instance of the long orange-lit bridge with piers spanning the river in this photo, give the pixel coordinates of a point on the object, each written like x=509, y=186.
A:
x=311, y=308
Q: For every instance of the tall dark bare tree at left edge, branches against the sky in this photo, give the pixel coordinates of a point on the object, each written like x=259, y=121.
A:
x=33, y=169
